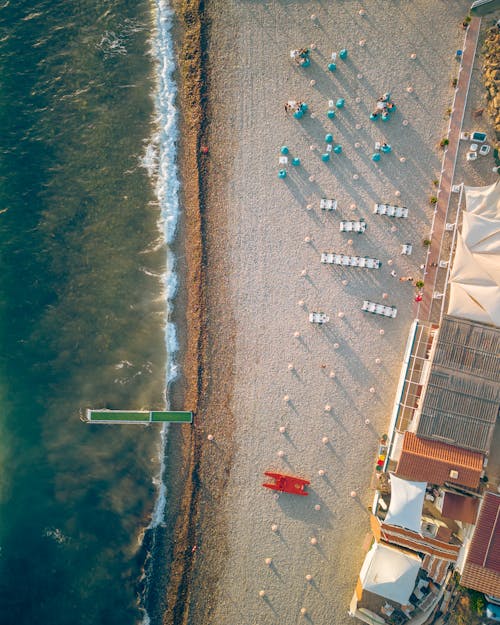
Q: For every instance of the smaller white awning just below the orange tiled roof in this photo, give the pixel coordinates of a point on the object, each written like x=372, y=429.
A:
x=407, y=500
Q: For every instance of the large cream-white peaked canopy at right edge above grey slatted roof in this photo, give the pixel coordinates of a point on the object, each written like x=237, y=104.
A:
x=475, y=276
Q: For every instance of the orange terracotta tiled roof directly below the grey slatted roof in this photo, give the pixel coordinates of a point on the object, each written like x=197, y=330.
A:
x=435, y=462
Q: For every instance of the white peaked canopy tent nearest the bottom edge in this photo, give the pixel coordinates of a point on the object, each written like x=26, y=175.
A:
x=390, y=573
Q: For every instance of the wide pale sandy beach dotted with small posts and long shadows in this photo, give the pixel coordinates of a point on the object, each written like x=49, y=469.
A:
x=255, y=260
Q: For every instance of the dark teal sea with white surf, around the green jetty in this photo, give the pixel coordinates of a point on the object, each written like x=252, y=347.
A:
x=87, y=199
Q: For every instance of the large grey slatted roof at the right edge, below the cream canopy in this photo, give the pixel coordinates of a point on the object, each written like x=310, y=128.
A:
x=462, y=396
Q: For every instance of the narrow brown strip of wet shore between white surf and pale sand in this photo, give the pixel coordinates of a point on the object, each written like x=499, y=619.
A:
x=182, y=452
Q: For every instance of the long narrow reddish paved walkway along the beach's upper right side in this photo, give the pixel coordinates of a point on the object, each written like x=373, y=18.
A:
x=429, y=309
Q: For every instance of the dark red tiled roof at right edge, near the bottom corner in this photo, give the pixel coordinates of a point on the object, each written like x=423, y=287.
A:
x=482, y=566
